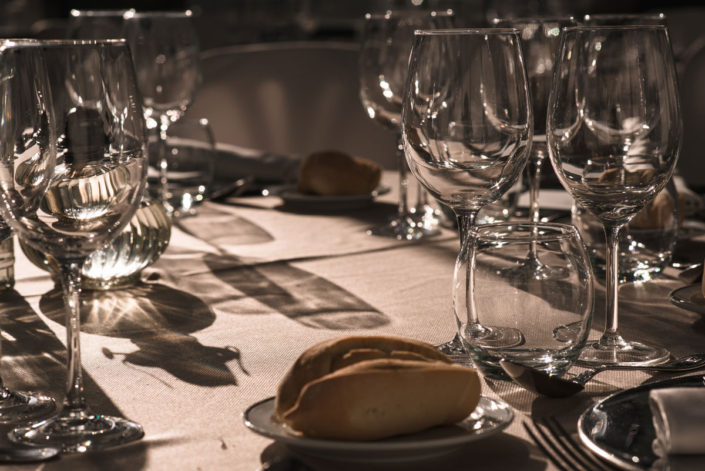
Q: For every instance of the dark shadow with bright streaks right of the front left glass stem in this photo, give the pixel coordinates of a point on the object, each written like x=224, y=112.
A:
x=158, y=320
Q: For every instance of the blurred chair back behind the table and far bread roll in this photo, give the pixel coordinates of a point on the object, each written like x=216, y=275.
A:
x=291, y=98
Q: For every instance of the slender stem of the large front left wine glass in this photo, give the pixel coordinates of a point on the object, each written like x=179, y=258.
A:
x=71, y=284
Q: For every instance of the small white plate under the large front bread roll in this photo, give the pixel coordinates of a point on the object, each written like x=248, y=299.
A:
x=490, y=417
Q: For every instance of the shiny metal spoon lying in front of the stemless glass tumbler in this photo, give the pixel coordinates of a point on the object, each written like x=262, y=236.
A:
x=554, y=386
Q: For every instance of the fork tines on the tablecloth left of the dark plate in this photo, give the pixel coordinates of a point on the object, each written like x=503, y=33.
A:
x=560, y=448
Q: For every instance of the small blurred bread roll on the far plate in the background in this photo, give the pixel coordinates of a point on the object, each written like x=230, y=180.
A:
x=332, y=173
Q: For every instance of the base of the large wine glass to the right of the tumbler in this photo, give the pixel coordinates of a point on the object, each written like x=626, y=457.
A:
x=624, y=353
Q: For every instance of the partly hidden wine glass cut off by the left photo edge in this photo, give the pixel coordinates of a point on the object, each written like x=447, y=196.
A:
x=25, y=116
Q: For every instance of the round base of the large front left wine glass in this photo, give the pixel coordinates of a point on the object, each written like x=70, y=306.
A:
x=78, y=435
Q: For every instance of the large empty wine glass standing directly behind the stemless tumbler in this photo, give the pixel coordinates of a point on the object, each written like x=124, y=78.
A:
x=466, y=129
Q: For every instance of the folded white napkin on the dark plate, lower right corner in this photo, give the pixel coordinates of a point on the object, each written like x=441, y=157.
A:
x=679, y=421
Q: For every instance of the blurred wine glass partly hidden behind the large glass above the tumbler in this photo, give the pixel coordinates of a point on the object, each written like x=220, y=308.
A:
x=384, y=57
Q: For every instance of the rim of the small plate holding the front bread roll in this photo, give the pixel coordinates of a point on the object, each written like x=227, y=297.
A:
x=379, y=446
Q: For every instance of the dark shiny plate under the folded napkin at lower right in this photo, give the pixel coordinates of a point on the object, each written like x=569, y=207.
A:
x=620, y=429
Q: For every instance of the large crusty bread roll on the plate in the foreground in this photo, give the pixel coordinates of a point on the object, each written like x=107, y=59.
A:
x=371, y=387
